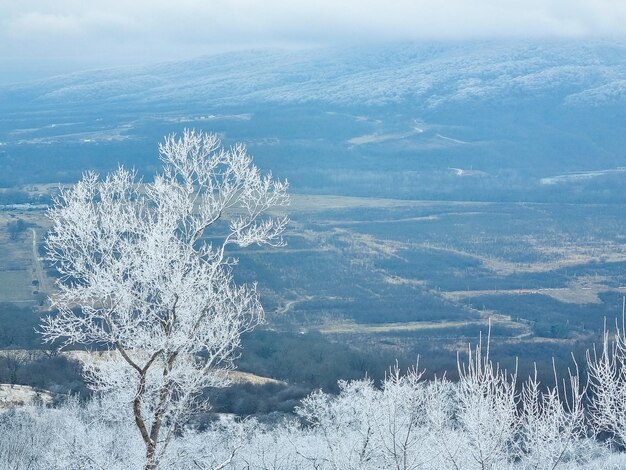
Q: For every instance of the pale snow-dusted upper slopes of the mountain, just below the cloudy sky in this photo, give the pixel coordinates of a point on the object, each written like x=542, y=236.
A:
x=427, y=75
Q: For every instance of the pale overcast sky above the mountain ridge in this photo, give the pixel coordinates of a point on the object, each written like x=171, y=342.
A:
x=44, y=37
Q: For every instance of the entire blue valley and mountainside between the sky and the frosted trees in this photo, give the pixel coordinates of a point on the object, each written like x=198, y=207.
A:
x=445, y=189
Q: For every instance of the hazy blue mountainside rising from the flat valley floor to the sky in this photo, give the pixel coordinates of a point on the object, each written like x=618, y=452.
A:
x=480, y=120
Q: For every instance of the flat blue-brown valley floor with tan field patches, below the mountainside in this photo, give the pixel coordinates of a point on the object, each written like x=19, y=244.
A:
x=412, y=277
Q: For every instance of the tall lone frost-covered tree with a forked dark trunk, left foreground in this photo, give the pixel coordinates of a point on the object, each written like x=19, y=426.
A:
x=145, y=271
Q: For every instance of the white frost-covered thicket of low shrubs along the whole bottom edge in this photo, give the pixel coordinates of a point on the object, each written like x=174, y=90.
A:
x=406, y=423
